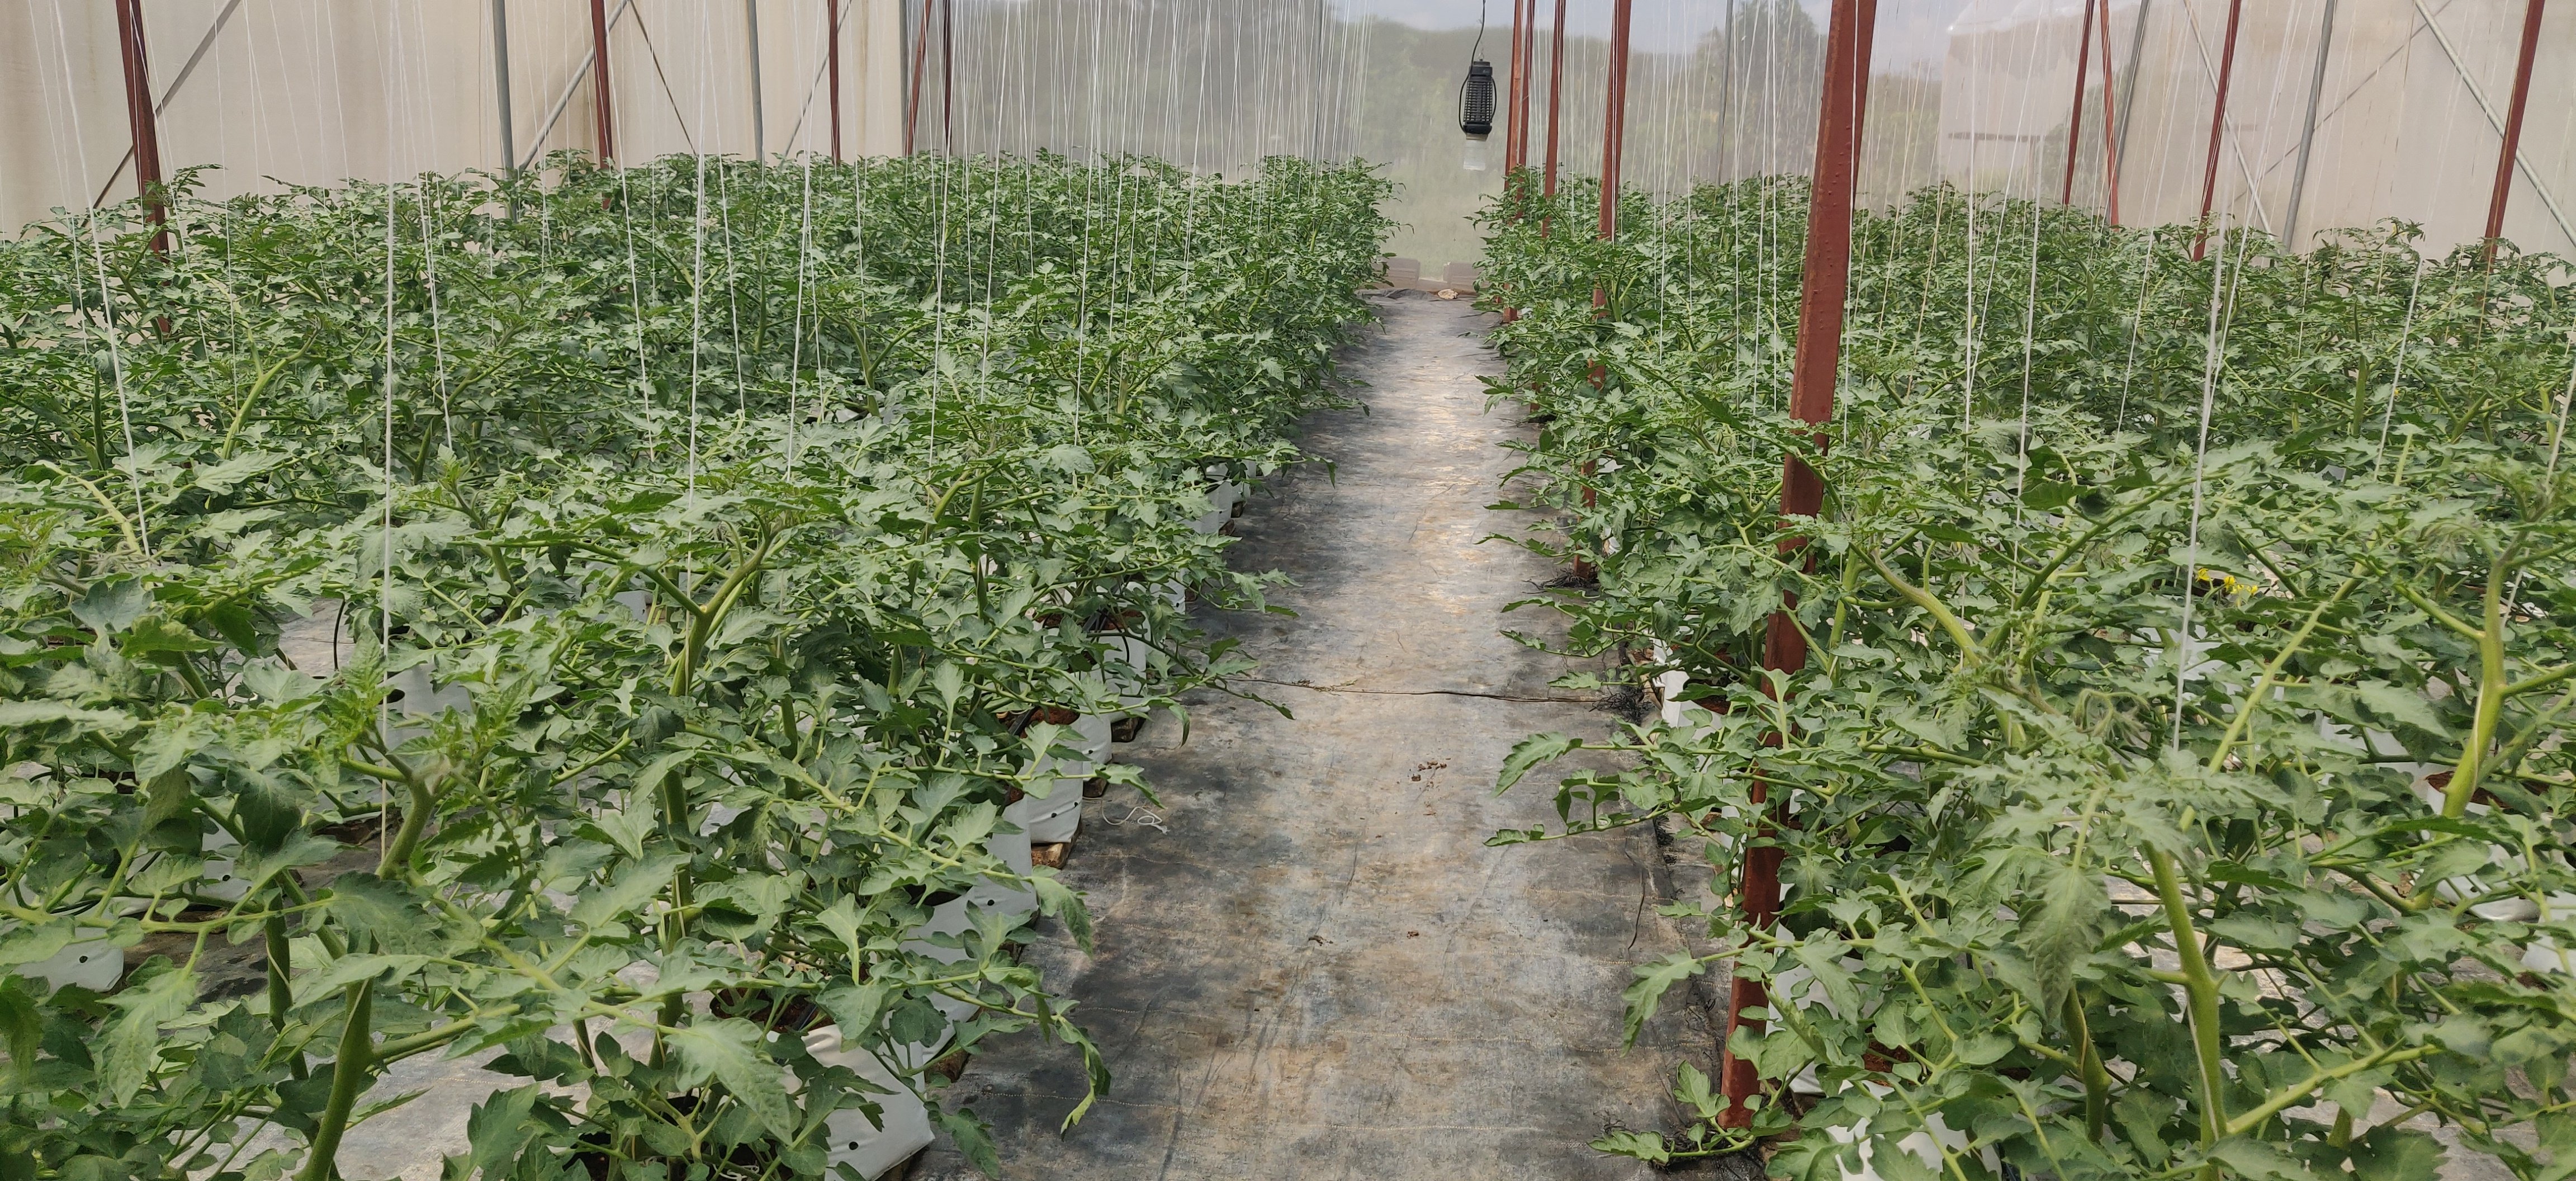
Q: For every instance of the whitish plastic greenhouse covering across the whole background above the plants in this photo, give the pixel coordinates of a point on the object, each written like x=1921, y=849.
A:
x=2343, y=112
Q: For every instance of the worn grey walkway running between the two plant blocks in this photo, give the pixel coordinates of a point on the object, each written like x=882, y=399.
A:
x=1315, y=968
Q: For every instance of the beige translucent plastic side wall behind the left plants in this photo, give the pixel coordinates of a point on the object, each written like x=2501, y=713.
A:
x=318, y=92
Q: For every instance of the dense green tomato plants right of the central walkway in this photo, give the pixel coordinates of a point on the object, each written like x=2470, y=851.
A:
x=2173, y=780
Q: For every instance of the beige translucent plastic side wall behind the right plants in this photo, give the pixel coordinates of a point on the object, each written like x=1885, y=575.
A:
x=2340, y=112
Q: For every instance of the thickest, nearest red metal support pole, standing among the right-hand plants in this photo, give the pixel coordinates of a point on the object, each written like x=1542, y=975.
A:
x=1802, y=491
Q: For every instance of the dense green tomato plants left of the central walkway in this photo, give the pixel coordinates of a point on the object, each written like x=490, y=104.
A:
x=627, y=623
